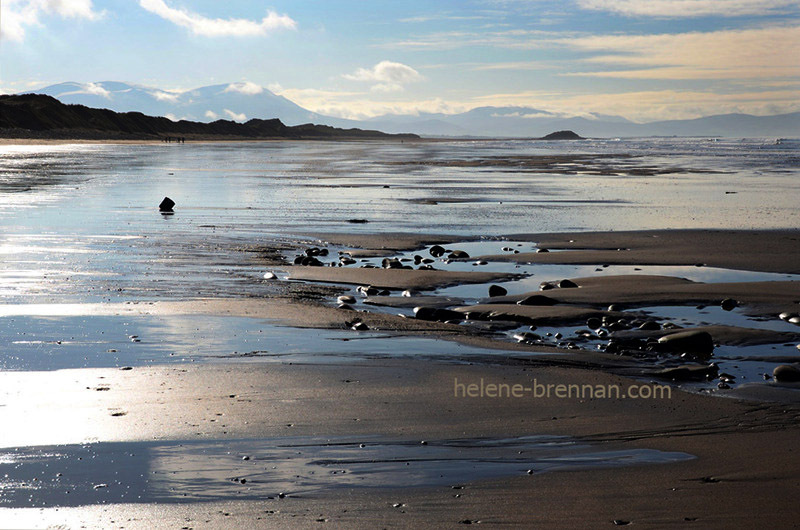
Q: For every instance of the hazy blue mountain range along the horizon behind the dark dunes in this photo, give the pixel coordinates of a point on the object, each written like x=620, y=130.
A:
x=243, y=101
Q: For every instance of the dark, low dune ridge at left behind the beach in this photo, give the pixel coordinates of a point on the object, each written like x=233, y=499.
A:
x=40, y=116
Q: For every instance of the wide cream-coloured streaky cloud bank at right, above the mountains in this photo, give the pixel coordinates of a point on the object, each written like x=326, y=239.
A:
x=729, y=54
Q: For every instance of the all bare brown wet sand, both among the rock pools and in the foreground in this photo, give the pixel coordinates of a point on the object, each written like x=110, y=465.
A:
x=744, y=472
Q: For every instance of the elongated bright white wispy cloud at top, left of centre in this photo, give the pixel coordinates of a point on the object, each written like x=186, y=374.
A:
x=218, y=27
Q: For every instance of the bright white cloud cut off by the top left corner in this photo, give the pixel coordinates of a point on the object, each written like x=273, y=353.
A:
x=19, y=14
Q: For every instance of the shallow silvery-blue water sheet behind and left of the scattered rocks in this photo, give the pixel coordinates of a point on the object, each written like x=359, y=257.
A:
x=79, y=225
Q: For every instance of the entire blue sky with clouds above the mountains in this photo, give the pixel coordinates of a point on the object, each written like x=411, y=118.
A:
x=642, y=59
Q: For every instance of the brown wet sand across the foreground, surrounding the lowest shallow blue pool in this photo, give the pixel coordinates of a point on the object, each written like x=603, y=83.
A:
x=744, y=473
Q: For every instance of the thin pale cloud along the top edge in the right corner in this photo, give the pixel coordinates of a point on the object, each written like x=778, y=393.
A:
x=690, y=8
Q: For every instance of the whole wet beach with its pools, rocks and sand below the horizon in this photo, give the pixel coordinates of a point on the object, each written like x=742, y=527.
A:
x=238, y=364
